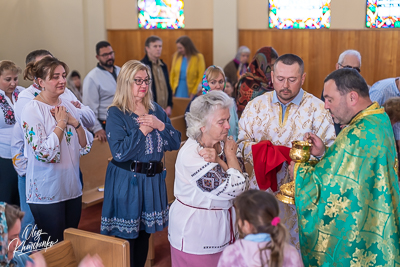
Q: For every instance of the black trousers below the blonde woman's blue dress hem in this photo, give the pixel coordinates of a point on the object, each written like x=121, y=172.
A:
x=139, y=248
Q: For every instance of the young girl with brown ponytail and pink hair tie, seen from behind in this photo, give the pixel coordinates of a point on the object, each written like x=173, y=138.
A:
x=264, y=242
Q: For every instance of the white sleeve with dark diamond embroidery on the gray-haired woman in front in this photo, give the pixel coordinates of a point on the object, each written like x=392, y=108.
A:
x=223, y=185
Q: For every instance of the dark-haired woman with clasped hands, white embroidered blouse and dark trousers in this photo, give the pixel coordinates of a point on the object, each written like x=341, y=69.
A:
x=54, y=142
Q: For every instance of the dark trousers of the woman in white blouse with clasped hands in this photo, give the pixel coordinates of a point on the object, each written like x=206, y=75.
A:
x=54, y=218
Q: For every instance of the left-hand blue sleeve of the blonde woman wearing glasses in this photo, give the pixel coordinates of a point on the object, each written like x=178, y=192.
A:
x=124, y=143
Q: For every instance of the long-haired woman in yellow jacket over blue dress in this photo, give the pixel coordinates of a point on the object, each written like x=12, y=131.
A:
x=187, y=68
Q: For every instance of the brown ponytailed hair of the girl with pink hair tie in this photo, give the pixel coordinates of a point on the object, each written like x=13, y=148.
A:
x=260, y=208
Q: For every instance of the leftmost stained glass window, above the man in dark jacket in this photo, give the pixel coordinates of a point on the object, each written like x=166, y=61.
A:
x=161, y=14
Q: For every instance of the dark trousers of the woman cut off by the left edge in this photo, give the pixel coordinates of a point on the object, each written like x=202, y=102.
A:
x=9, y=182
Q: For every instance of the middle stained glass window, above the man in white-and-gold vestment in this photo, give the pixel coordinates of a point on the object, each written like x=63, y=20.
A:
x=299, y=14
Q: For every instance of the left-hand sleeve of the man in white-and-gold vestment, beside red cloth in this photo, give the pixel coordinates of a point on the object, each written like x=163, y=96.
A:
x=246, y=136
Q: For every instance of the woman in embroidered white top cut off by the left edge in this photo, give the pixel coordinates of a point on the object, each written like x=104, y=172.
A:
x=9, y=92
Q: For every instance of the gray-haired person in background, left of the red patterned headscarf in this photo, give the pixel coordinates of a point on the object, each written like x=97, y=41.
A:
x=238, y=66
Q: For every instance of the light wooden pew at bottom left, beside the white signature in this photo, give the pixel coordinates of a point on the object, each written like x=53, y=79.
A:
x=77, y=244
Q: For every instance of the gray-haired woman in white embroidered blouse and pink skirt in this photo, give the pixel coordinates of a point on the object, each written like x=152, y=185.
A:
x=208, y=176
